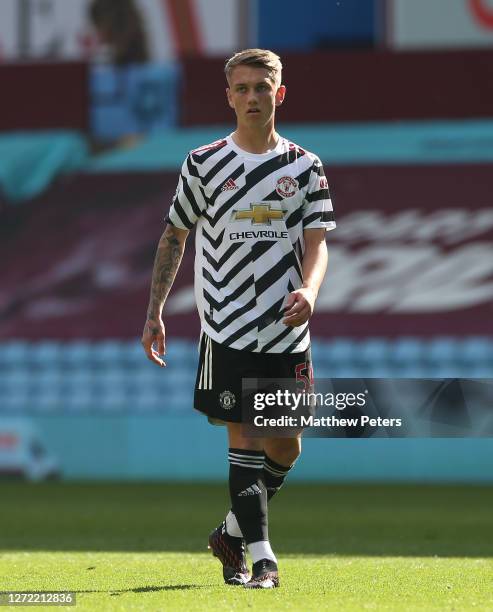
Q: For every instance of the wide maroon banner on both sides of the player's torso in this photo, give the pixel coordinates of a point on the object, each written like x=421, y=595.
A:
x=412, y=254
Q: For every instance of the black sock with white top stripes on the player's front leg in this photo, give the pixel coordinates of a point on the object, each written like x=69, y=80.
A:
x=248, y=493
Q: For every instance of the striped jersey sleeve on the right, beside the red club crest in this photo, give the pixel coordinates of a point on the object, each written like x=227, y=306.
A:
x=317, y=207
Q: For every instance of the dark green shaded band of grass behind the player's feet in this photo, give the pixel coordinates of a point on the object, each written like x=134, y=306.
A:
x=370, y=520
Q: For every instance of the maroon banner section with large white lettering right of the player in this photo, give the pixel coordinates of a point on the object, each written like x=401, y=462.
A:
x=412, y=254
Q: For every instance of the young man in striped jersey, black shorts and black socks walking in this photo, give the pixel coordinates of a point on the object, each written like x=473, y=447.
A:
x=261, y=208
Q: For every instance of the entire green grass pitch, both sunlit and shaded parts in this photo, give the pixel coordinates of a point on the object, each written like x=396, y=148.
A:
x=143, y=546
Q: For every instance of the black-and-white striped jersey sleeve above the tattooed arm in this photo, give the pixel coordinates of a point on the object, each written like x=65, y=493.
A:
x=189, y=200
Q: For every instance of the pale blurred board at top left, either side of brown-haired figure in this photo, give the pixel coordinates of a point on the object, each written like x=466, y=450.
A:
x=61, y=29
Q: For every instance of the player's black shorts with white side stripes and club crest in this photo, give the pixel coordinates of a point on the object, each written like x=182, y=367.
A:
x=218, y=388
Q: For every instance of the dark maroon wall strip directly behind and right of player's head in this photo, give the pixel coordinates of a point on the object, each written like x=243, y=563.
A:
x=356, y=86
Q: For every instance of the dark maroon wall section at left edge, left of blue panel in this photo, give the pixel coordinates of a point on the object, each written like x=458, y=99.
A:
x=44, y=96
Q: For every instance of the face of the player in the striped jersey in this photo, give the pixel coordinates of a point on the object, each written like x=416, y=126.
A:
x=253, y=95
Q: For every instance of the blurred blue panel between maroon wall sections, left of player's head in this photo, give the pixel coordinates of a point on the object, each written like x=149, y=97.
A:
x=132, y=100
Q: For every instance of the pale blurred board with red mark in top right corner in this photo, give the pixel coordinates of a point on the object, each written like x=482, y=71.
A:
x=425, y=24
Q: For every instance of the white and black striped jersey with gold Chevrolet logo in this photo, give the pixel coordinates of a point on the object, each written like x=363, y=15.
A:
x=250, y=212
